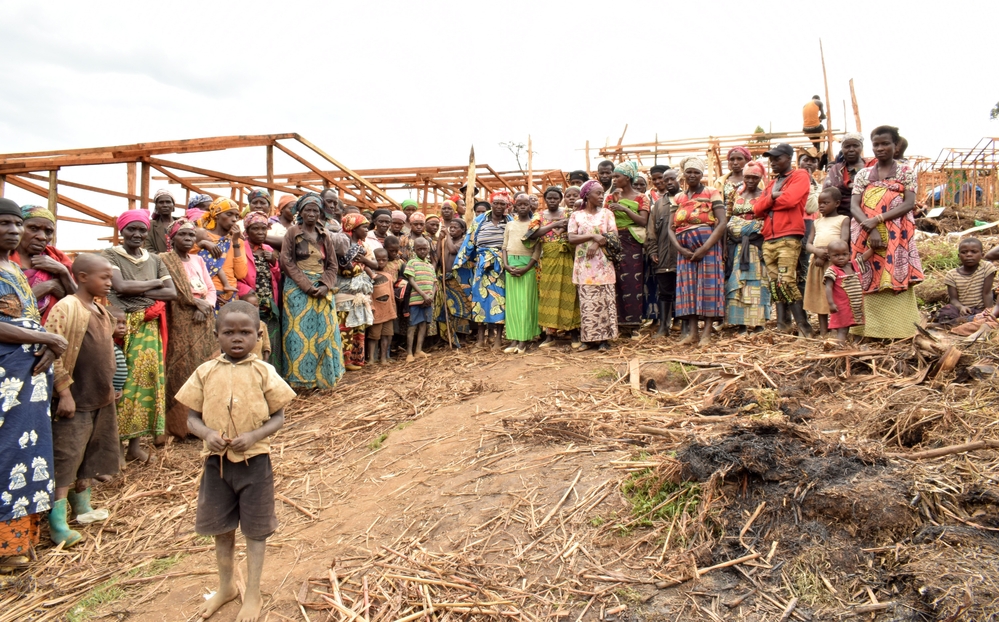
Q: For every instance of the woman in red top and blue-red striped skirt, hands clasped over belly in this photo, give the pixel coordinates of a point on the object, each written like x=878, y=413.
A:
x=696, y=229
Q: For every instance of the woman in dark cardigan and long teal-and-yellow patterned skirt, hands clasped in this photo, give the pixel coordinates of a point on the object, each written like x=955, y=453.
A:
x=311, y=336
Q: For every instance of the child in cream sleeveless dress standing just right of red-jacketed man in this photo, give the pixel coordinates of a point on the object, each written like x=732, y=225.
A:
x=826, y=229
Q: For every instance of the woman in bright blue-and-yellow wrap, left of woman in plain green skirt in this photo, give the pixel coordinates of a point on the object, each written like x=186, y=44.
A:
x=480, y=251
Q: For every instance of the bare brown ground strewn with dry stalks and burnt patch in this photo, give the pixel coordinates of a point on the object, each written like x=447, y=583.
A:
x=476, y=485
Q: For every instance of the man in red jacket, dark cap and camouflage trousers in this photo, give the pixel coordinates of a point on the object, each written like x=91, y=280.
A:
x=782, y=208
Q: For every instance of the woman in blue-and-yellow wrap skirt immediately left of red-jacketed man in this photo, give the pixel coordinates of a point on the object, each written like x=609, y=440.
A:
x=747, y=289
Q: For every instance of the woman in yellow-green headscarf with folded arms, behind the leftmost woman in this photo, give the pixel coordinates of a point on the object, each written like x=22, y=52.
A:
x=48, y=269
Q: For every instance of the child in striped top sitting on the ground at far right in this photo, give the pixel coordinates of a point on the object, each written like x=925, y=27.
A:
x=969, y=286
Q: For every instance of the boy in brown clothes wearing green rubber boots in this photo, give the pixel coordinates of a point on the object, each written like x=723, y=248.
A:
x=84, y=424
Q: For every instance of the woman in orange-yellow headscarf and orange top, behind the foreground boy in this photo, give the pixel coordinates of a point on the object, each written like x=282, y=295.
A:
x=221, y=244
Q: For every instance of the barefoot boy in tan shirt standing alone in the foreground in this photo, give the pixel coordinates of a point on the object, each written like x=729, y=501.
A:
x=236, y=403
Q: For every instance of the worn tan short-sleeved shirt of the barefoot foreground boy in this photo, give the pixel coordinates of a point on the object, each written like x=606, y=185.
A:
x=235, y=398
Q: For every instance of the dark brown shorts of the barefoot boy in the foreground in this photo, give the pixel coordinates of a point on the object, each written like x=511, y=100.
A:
x=243, y=496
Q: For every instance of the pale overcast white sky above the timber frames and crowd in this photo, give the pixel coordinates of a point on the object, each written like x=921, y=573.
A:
x=389, y=84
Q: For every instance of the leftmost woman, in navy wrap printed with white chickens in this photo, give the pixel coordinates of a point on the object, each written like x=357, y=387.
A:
x=26, y=355
